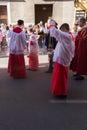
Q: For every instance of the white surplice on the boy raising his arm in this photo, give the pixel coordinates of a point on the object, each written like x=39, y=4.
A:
x=65, y=47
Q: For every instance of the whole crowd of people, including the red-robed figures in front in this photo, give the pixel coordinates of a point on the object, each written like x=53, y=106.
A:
x=66, y=50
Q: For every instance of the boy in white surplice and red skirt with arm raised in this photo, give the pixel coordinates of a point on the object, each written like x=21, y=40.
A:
x=63, y=55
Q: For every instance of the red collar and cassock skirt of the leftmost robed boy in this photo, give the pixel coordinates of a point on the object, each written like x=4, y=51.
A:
x=16, y=63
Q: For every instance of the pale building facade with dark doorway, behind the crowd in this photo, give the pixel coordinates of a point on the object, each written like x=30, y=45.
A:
x=33, y=11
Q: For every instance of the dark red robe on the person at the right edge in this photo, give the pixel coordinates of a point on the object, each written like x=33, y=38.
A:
x=79, y=62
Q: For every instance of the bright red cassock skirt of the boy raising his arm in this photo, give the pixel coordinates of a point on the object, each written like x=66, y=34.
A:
x=59, y=84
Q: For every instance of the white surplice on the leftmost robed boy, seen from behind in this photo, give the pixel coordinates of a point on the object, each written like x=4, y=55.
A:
x=17, y=42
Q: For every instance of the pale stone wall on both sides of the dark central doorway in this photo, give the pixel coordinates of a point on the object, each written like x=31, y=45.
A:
x=62, y=11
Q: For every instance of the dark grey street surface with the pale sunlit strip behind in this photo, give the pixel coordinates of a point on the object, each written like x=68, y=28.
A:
x=27, y=104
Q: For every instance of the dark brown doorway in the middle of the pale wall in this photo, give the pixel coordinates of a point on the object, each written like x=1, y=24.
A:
x=42, y=12
